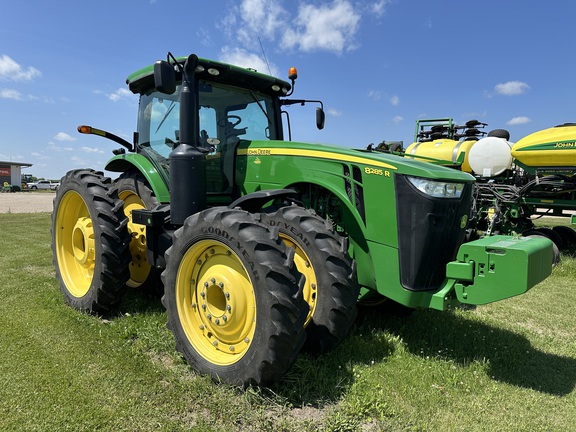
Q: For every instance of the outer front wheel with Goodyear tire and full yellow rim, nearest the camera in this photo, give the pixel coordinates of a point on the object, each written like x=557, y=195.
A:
x=234, y=298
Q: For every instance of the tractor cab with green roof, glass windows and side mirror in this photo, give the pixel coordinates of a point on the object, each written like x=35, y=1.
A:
x=214, y=107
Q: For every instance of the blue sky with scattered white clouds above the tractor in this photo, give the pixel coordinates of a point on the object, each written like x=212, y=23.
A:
x=378, y=66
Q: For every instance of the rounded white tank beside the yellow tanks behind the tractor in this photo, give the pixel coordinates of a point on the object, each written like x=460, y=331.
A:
x=490, y=156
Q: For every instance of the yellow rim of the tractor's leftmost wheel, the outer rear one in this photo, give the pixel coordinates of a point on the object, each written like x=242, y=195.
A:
x=75, y=245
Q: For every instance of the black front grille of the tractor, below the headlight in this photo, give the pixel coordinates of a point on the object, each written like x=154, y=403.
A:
x=429, y=234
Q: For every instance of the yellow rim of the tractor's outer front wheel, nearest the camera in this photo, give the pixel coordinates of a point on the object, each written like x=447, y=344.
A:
x=216, y=302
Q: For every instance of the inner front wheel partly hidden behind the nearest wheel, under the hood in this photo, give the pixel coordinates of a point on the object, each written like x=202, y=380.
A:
x=331, y=289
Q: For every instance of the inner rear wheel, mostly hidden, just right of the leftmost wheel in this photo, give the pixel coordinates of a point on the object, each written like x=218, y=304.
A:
x=135, y=192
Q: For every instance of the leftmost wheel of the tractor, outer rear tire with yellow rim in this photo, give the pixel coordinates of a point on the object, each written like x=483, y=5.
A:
x=90, y=241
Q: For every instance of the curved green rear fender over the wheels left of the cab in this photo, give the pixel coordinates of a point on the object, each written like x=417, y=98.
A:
x=156, y=179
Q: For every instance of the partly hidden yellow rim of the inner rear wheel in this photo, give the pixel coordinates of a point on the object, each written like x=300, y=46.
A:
x=139, y=267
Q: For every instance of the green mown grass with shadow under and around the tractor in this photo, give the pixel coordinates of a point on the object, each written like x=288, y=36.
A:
x=508, y=366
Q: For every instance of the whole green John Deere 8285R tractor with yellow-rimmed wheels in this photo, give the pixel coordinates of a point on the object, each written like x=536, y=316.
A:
x=263, y=247
